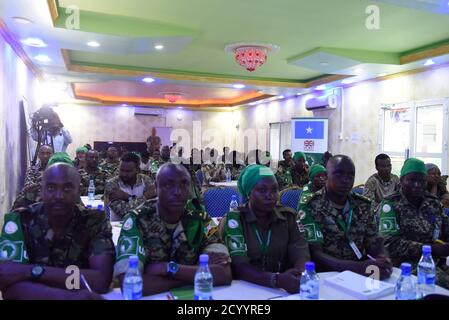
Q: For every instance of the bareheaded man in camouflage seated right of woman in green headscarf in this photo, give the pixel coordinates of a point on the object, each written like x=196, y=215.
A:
x=340, y=226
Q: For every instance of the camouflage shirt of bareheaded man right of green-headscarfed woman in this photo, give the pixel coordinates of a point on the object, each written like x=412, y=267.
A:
x=322, y=221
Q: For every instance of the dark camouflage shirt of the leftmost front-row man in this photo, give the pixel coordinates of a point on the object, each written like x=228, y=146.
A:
x=88, y=234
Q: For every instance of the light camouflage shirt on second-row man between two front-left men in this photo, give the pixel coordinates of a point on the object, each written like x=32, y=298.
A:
x=121, y=207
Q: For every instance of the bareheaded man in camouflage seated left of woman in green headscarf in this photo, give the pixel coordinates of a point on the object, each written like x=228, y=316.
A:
x=169, y=234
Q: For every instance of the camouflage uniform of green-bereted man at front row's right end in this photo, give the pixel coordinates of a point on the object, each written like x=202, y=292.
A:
x=407, y=228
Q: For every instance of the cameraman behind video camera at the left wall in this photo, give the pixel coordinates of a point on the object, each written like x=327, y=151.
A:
x=54, y=130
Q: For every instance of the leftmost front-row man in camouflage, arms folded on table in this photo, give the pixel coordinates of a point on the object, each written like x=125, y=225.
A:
x=48, y=237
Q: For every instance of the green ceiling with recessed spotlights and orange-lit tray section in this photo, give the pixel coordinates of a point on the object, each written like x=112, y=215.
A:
x=323, y=43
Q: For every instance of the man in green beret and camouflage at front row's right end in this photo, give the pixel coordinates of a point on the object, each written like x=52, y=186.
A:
x=412, y=218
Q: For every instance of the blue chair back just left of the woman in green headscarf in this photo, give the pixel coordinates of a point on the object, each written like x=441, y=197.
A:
x=216, y=200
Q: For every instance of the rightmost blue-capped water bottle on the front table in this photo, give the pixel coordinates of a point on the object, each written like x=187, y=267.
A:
x=426, y=273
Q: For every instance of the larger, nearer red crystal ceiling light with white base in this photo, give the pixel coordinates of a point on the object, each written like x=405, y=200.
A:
x=251, y=55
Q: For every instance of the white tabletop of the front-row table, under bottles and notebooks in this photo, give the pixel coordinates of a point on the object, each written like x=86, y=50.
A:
x=243, y=290
